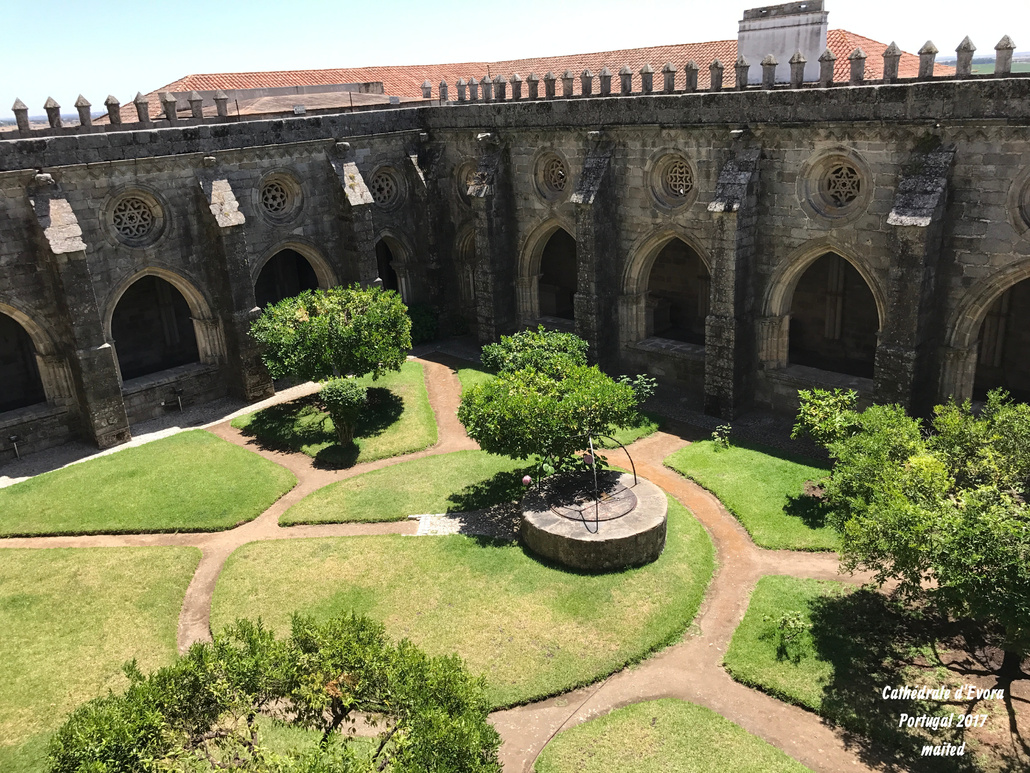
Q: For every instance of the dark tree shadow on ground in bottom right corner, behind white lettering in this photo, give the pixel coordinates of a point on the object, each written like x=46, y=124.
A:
x=872, y=645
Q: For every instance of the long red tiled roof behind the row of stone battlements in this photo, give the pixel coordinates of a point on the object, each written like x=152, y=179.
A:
x=406, y=81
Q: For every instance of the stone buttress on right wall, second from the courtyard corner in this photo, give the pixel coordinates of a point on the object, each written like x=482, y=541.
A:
x=597, y=259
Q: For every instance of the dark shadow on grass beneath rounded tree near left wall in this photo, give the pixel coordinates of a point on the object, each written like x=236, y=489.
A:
x=302, y=424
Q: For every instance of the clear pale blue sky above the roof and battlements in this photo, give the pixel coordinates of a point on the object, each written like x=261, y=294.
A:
x=63, y=48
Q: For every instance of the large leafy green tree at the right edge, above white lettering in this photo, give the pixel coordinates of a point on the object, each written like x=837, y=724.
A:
x=944, y=513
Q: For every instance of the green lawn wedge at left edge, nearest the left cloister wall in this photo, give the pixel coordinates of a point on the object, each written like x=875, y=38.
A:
x=192, y=482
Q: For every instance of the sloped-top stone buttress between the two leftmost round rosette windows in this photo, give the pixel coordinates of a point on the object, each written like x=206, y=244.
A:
x=230, y=267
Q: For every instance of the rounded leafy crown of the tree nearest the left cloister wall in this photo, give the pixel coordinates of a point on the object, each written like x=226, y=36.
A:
x=337, y=332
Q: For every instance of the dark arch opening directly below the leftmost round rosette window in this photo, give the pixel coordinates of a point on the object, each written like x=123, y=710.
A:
x=152, y=329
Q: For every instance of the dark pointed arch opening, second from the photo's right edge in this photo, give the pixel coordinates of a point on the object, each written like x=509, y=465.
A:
x=834, y=320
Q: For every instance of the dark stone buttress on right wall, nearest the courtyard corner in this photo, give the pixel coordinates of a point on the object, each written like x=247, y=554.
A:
x=494, y=206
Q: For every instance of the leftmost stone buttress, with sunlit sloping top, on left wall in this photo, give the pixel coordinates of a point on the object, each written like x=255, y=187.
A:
x=94, y=369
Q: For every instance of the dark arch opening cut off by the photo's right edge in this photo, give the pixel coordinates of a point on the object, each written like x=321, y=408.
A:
x=1005, y=344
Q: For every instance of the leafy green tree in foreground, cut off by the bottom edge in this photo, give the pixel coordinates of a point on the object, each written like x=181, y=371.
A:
x=205, y=713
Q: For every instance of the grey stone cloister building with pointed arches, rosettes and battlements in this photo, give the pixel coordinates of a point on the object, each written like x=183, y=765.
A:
x=740, y=243
